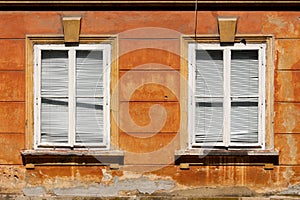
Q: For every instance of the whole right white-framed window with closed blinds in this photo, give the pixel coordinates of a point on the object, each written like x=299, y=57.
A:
x=226, y=96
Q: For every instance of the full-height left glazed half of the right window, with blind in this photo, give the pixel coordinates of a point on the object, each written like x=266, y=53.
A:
x=209, y=97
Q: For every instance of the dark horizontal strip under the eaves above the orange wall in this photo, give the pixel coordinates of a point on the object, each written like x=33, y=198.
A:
x=163, y=6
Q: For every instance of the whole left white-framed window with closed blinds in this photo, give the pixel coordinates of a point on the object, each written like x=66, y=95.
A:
x=72, y=96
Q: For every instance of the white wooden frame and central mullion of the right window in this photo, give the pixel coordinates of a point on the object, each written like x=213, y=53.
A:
x=192, y=47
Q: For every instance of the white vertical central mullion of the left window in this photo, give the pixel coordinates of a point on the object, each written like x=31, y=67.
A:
x=72, y=98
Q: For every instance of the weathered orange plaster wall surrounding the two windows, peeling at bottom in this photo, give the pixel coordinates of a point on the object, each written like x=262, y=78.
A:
x=155, y=58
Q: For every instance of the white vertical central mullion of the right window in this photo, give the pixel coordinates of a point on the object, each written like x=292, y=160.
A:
x=227, y=100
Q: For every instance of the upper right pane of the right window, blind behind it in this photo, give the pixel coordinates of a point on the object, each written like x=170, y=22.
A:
x=244, y=72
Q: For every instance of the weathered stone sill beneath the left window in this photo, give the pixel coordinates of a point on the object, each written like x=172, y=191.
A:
x=68, y=157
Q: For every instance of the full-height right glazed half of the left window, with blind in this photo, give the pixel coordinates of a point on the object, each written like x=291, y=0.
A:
x=89, y=97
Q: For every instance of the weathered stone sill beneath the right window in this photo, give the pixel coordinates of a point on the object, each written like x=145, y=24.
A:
x=227, y=157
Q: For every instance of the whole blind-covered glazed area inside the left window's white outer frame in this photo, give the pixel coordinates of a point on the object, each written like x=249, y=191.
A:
x=56, y=94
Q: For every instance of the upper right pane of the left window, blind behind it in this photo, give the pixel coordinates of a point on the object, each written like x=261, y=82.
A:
x=89, y=73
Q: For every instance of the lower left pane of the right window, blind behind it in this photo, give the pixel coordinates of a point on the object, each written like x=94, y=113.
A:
x=209, y=120
